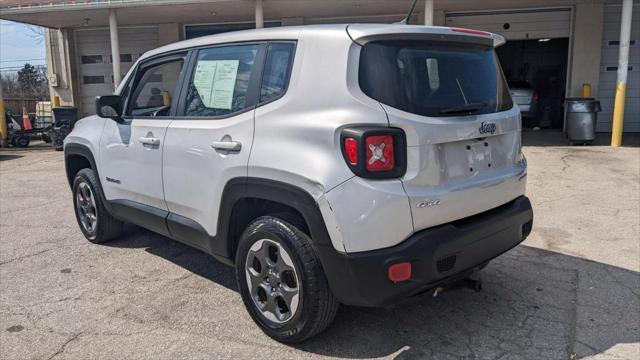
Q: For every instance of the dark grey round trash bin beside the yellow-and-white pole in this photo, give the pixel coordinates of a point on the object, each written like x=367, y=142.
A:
x=581, y=115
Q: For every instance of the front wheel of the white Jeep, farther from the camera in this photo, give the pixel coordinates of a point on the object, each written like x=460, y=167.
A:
x=96, y=223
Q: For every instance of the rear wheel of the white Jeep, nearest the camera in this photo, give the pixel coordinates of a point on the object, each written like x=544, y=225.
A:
x=282, y=282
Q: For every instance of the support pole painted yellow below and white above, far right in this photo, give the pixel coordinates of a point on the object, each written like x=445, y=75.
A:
x=623, y=64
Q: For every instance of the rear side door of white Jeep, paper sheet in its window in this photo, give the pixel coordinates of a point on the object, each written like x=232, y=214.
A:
x=209, y=143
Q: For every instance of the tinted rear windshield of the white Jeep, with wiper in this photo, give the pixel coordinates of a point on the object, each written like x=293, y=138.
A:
x=434, y=78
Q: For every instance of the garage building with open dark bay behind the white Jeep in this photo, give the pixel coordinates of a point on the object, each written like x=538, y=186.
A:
x=554, y=46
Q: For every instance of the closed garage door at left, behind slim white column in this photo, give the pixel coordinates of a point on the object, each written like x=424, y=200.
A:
x=95, y=69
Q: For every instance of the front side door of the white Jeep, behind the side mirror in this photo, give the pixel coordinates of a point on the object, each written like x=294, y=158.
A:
x=131, y=150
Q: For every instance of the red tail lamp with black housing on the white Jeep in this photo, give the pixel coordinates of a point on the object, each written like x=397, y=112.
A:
x=375, y=152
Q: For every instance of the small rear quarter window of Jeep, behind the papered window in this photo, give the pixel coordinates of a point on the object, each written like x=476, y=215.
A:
x=276, y=71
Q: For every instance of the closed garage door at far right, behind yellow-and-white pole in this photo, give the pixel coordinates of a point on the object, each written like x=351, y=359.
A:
x=609, y=69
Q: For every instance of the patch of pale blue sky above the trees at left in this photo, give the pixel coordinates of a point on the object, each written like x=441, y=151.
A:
x=19, y=45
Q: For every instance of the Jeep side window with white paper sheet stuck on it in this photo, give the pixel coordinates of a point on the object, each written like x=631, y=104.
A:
x=220, y=81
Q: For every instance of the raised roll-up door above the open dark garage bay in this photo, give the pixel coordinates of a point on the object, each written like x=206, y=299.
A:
x=516, y=24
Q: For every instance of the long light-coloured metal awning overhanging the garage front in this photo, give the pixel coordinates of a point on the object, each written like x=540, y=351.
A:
x=95, y=13
